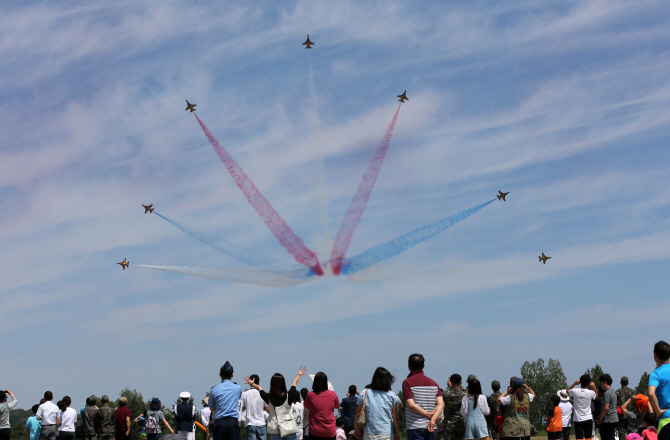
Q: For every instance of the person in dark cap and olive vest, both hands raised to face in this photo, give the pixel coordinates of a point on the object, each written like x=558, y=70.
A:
x=516, y=399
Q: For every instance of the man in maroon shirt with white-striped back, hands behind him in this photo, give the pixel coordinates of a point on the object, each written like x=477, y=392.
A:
x=424, y=401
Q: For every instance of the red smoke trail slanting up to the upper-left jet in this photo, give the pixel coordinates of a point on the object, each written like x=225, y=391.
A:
x=277, y=225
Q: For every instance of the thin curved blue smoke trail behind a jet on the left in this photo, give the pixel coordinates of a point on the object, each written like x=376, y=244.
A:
x=244, y=255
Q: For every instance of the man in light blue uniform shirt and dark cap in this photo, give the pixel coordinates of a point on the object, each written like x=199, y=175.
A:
x=223, y=402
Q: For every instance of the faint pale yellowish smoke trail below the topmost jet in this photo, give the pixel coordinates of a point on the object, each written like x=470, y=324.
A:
x=320, y=188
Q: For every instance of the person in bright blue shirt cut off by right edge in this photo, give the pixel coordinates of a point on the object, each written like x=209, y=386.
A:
x=659, y=388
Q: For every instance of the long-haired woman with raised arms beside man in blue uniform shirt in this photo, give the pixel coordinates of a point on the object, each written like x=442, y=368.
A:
x=279, y=400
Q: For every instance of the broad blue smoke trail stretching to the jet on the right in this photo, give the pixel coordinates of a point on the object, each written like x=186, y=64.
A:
x=394, y=247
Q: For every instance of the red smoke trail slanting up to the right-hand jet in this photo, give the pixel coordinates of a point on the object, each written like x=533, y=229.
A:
x=358, y=204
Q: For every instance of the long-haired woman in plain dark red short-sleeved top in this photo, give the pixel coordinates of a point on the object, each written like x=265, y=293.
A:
x=320, y=406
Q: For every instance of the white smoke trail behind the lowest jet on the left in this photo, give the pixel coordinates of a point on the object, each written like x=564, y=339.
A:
x=246, y=276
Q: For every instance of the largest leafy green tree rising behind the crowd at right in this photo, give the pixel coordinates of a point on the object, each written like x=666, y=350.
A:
x=545, y=381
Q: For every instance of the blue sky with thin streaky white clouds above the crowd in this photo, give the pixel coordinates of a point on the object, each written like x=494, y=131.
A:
x=565, y=105
